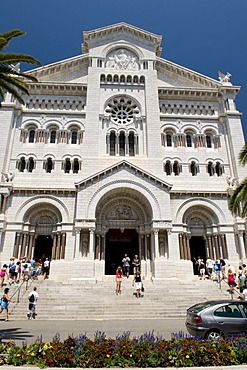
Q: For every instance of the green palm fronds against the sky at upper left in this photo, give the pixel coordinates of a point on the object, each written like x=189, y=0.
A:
x=11, y=78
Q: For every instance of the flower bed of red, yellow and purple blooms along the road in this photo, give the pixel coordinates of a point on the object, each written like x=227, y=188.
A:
x=123, y=351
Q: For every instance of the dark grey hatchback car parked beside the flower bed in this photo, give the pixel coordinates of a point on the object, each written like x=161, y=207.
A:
x=217, y=319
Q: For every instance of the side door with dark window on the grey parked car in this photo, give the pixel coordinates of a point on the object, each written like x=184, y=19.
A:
x=230, y=318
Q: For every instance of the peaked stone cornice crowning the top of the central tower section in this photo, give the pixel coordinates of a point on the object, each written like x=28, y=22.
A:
x=121, y=28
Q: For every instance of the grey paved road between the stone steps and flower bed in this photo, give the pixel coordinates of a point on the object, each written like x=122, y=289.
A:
x=29, y=330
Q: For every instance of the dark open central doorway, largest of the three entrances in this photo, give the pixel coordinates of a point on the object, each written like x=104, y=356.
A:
x=117, y=244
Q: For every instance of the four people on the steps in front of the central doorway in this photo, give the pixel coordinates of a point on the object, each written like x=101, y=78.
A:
x=137, y=280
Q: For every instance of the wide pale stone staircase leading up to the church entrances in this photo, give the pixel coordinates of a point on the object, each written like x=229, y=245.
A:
x=90, y=300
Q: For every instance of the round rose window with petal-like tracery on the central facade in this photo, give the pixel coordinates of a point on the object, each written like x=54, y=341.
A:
x=122, y=110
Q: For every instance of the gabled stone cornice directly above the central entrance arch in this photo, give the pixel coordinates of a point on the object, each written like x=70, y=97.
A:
x=122, y=165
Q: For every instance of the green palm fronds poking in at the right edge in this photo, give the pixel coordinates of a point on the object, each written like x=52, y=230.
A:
x=238, y=201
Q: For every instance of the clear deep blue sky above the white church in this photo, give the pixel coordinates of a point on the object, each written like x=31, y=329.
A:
x=203, y=35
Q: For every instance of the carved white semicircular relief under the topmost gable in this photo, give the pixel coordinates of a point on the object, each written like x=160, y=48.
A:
x=122, y=59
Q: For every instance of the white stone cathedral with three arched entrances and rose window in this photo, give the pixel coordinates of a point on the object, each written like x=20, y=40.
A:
x=120, y=151
